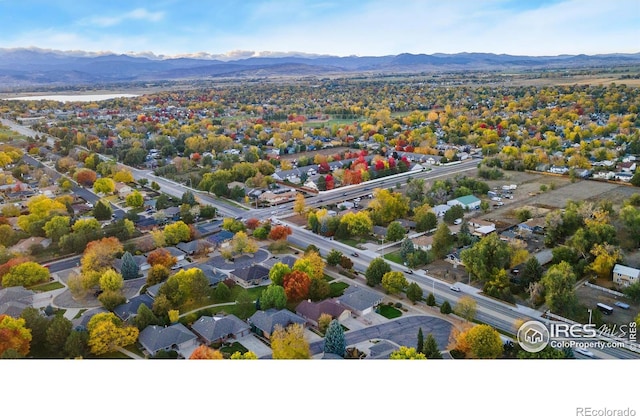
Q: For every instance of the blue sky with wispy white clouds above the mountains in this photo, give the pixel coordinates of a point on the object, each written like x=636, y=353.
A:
x=231, y=29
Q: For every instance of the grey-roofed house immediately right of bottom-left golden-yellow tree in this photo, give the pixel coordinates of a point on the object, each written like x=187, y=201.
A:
x=176, y=337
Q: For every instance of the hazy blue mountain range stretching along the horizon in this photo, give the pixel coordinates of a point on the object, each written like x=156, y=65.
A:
x=37, y=67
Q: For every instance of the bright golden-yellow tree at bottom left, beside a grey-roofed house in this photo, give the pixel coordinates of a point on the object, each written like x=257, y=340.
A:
x=107, y=333
